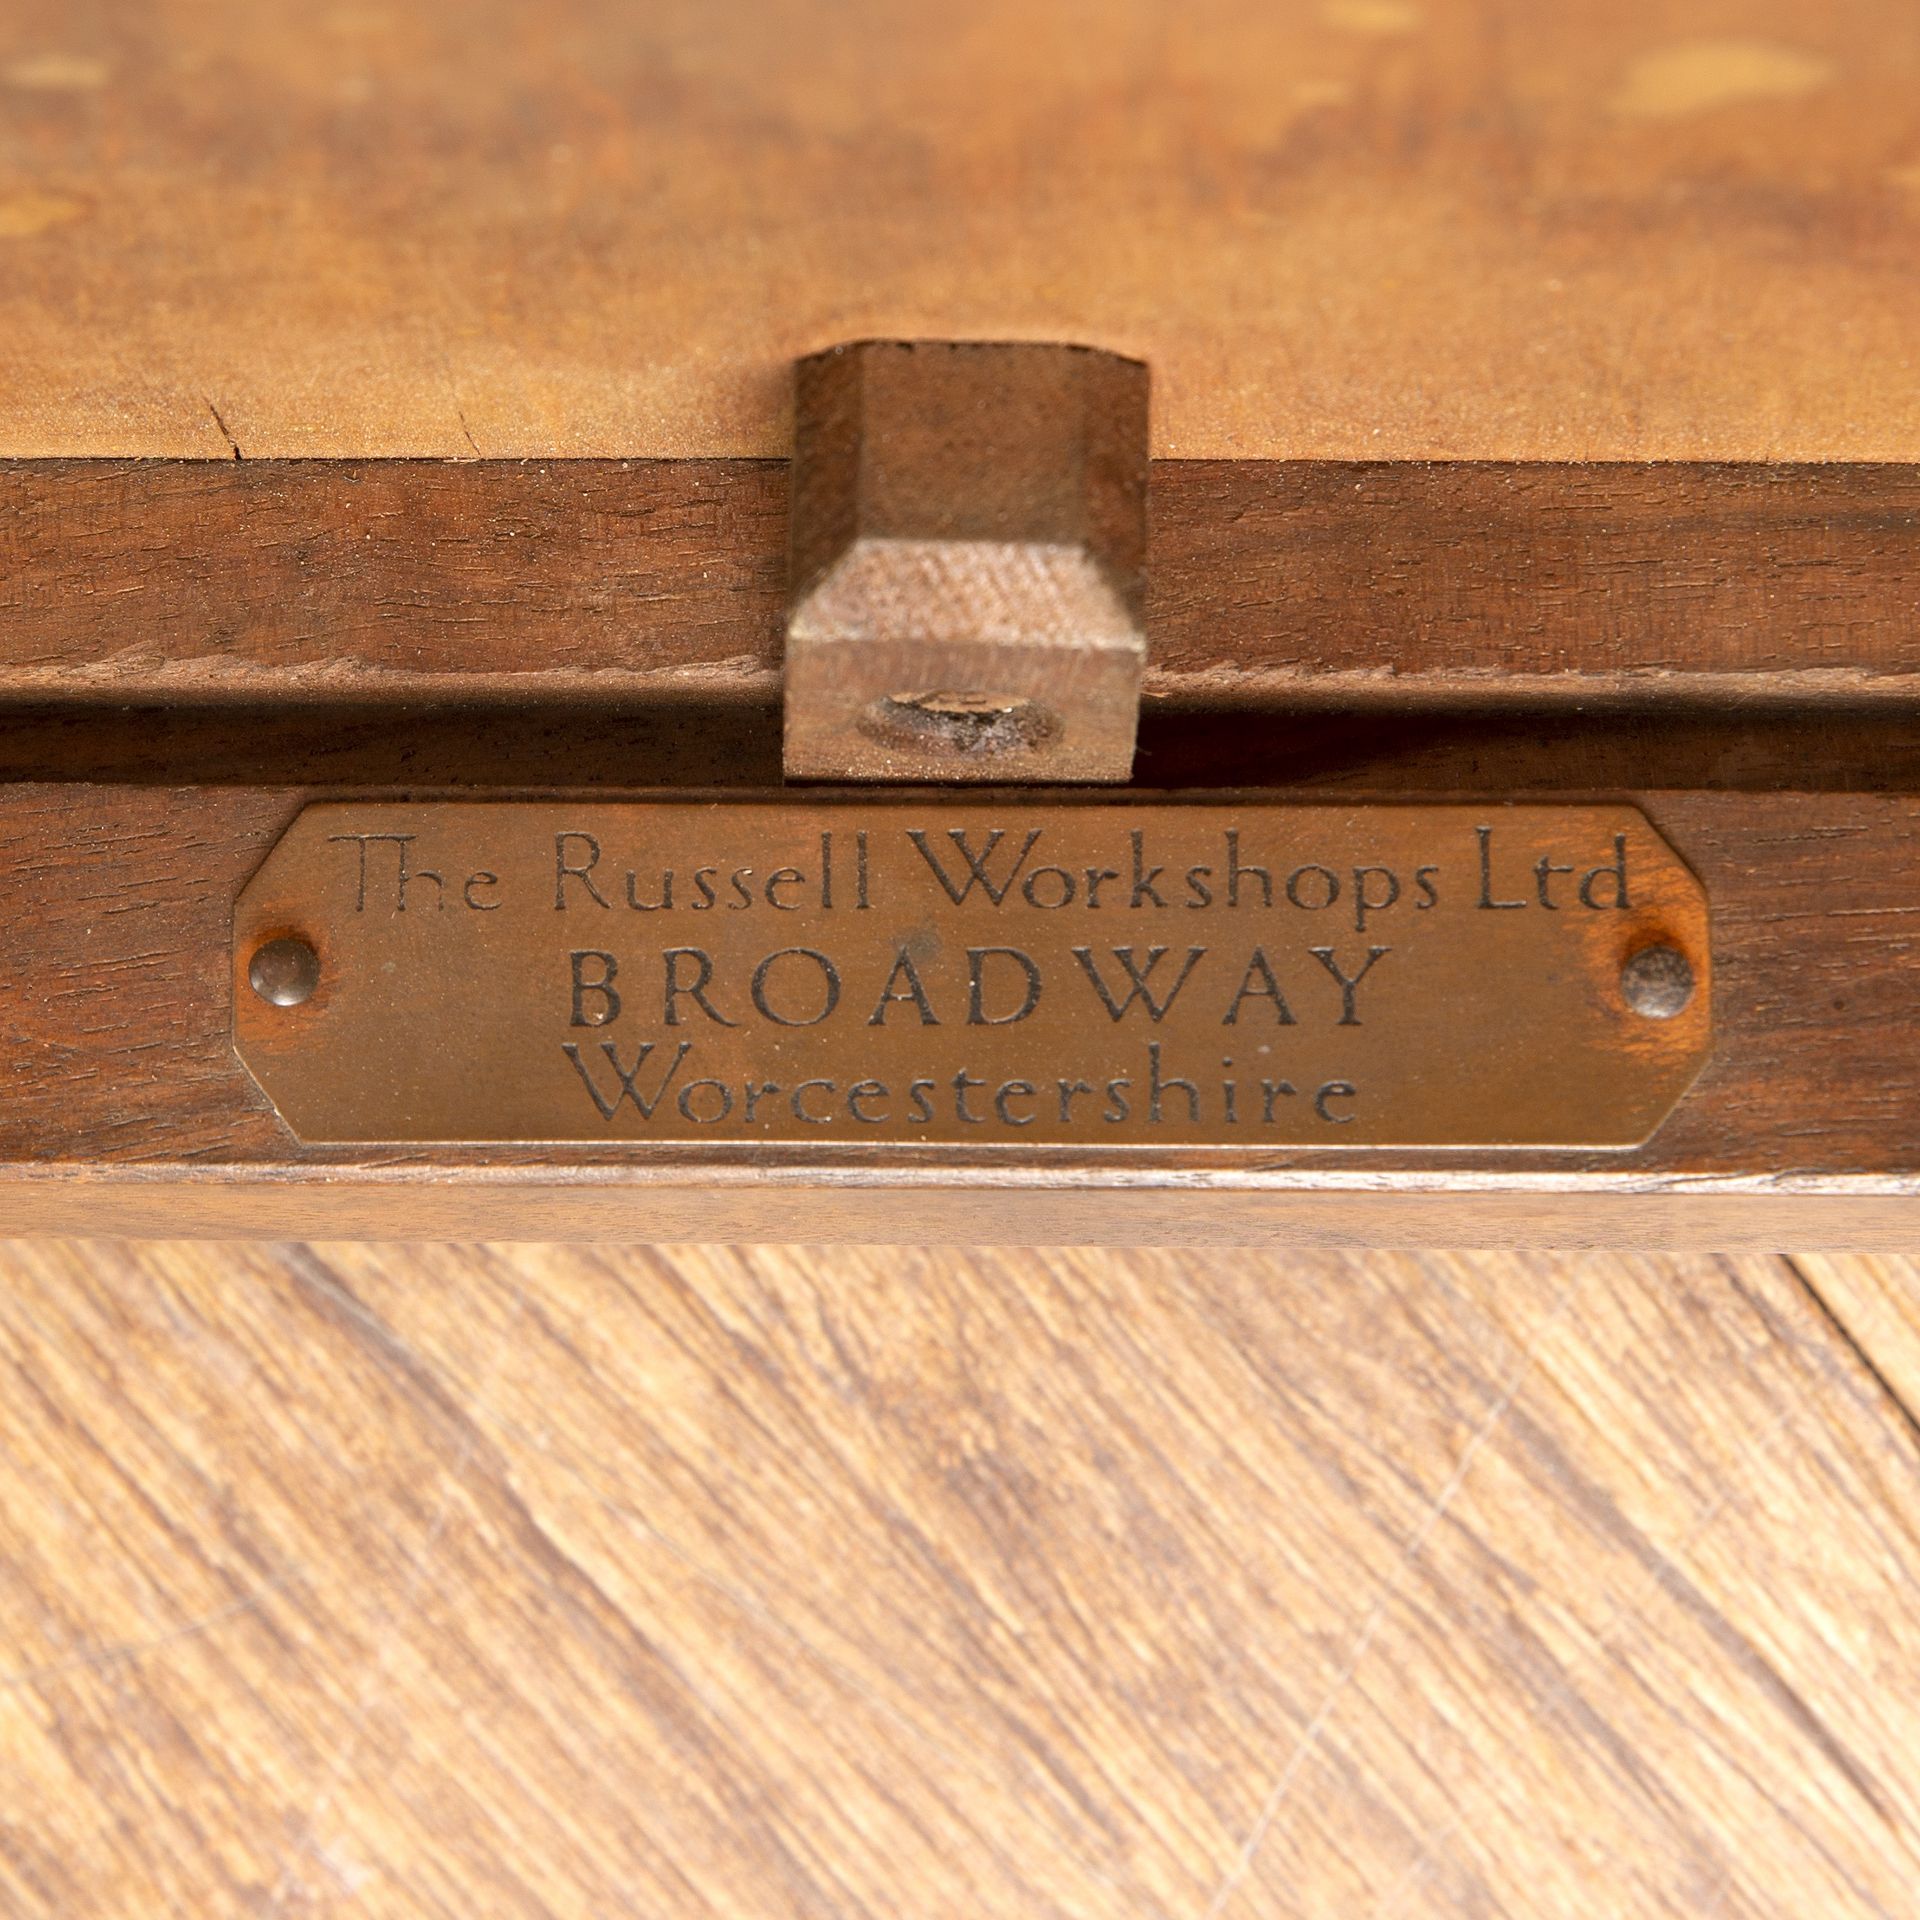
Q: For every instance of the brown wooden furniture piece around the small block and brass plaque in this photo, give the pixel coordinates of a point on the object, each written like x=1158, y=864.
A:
x=1644, y=260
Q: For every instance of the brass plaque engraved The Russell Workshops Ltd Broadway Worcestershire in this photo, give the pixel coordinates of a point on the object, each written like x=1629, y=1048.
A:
x=876, y=974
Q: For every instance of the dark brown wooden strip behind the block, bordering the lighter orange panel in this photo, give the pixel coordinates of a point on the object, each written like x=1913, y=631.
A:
x=1303, y=585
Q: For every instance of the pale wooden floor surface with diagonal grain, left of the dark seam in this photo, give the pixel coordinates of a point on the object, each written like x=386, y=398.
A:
x=562, y=1585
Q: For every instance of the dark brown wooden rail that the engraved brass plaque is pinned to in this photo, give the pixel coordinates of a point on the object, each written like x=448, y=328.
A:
x=120, y=1068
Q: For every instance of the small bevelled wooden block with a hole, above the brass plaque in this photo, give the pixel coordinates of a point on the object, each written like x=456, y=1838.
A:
x=967, y=567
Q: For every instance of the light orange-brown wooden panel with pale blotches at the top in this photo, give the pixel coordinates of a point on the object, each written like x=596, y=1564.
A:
x=1358, y=228
